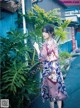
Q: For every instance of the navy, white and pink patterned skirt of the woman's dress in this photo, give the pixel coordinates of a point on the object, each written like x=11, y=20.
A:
x=52, y=90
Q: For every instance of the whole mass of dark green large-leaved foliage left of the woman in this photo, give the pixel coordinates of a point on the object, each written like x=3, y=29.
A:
x=18, y=80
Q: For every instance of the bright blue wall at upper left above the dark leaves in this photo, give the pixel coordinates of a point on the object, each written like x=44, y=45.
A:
x=7, y=22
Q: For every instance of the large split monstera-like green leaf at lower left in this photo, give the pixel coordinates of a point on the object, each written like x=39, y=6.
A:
x=14, y=77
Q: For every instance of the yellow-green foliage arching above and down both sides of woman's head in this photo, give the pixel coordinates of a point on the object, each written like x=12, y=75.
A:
x=38, y=18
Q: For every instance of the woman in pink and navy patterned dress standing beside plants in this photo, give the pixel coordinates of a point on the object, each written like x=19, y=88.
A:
x=53, y=87
